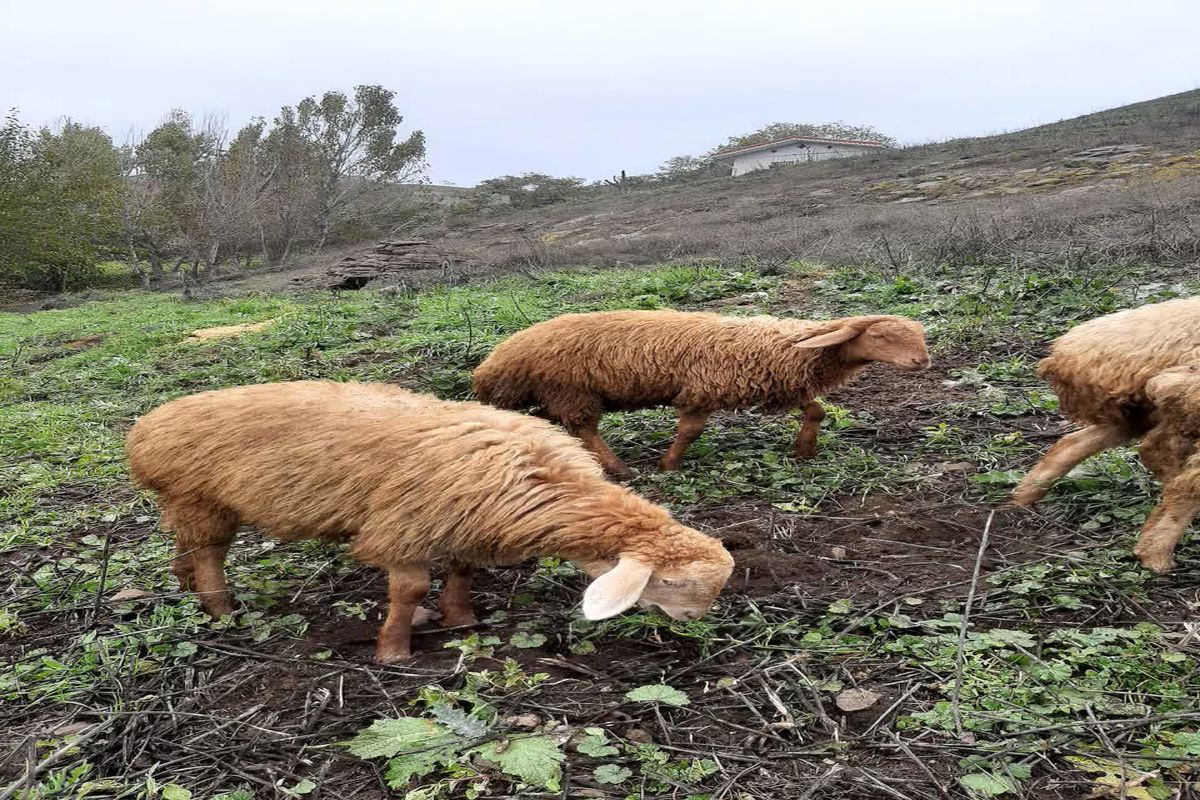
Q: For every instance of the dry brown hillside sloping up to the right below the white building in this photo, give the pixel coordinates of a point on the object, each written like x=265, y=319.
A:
x=1118, y=185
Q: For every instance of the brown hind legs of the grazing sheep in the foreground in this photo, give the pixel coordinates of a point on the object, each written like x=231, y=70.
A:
x=203, y=533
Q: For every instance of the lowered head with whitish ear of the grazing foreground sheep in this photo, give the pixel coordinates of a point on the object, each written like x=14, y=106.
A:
x=683, y=590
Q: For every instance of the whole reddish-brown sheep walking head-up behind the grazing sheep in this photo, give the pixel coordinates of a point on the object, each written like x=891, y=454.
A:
x=575, y=368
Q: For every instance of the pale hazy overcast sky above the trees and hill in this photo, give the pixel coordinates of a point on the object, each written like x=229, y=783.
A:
x=592, y=88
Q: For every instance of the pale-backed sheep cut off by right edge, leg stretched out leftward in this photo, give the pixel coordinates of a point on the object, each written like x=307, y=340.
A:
x=1100, y=372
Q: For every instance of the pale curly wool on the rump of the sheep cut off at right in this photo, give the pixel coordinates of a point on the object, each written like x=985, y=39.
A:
x=1100, y=369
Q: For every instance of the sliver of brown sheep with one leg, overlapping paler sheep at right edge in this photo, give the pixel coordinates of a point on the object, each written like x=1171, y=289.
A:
x=1172, y=450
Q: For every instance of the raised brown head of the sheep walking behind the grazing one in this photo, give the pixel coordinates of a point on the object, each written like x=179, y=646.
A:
x=896, y=341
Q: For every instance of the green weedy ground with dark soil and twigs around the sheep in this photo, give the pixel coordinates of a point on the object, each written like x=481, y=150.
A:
x=855, y=654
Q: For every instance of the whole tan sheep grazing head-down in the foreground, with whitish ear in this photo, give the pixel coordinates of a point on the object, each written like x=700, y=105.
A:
x=409, y=479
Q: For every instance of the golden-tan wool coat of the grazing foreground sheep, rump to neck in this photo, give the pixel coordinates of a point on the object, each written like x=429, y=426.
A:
x=409, y=478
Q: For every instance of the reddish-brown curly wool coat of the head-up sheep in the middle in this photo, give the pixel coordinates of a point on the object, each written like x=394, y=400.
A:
x=577, y=366
